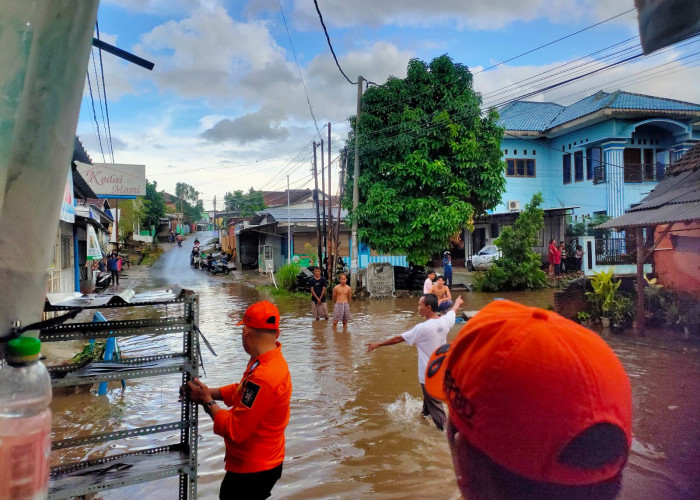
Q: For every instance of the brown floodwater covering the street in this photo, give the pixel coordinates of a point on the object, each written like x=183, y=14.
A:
x=355, y=428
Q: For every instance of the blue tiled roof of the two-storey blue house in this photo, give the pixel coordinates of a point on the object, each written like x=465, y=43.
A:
x=541, y=116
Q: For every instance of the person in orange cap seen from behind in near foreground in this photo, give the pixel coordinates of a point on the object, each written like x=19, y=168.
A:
x=540, y=407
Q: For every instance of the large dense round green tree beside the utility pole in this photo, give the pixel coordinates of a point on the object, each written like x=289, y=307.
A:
x=430, y=161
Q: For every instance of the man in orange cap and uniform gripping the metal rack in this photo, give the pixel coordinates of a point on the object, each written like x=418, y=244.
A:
x=253, y=427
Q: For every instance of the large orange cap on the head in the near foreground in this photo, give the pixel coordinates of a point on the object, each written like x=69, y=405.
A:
x=522, y=382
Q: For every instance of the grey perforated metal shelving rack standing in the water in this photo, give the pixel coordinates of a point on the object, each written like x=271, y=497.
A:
x=146, y=464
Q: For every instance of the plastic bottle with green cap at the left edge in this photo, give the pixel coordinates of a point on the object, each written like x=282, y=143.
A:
x=25, y=422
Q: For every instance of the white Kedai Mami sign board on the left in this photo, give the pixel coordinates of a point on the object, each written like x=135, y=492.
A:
x=114, y=179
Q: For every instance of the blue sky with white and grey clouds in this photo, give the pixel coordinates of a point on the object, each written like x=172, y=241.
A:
x=241, y=89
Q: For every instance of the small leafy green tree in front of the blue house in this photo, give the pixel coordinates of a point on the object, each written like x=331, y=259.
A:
x=519, y=266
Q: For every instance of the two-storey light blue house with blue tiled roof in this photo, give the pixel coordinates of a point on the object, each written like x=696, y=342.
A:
x=600, y=155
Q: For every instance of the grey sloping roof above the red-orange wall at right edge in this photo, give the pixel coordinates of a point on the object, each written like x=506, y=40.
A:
x=675, y=199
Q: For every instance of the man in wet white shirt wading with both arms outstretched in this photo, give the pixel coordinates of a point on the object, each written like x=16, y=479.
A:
x=427, y=337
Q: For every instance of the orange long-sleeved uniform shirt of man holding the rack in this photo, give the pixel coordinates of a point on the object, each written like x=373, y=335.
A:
x=253, y=428
